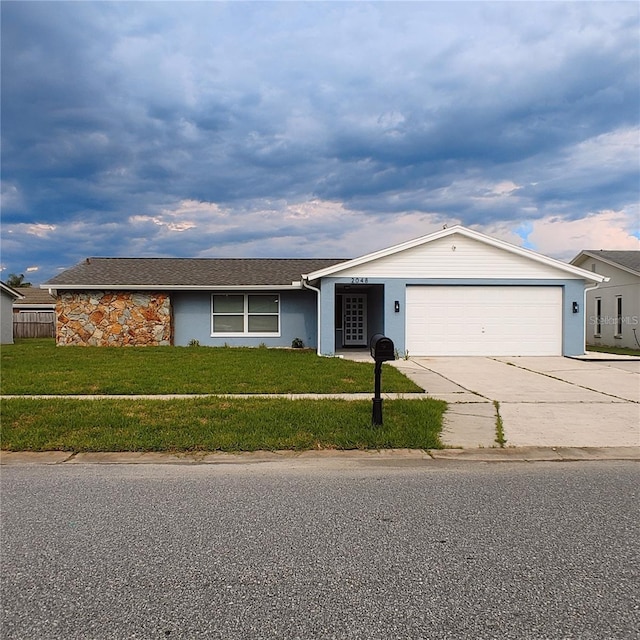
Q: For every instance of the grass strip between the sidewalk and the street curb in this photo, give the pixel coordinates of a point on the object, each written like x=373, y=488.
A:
x=216, y=424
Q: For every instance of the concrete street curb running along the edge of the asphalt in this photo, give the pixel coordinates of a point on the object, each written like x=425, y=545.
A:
x=385, y=456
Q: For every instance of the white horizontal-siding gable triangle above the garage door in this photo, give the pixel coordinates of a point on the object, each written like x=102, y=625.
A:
x=456, y=256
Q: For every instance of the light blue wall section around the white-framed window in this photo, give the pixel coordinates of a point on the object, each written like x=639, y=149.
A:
x=192, y=320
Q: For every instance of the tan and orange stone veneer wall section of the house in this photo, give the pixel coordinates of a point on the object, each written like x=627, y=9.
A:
x=113, y=318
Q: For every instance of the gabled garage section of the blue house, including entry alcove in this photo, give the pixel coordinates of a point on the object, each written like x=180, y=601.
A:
x=457, y=292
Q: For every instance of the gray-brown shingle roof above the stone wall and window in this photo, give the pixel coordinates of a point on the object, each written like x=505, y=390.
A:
x=188, y=272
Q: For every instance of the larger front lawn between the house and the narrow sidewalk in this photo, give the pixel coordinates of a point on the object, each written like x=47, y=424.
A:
x=33, y=366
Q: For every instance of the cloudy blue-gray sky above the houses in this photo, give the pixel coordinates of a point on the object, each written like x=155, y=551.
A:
x=314, y=129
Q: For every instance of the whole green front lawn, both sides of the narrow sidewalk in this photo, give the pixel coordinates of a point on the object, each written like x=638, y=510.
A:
x=33, y=367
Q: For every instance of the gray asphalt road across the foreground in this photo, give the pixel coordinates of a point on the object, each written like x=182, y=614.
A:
x=406, y=550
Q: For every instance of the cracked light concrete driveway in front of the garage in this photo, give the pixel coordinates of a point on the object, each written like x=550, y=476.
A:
x=543, y=401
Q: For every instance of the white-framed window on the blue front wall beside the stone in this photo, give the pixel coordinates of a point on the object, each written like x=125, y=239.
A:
x=245, y=314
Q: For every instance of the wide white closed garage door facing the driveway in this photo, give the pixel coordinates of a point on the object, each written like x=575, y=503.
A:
x=484, y=321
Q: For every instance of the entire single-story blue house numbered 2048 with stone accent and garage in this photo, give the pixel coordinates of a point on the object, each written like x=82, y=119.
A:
x=453, y=292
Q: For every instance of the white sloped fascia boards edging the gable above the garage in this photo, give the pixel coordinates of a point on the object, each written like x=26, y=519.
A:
x=469, y=233
